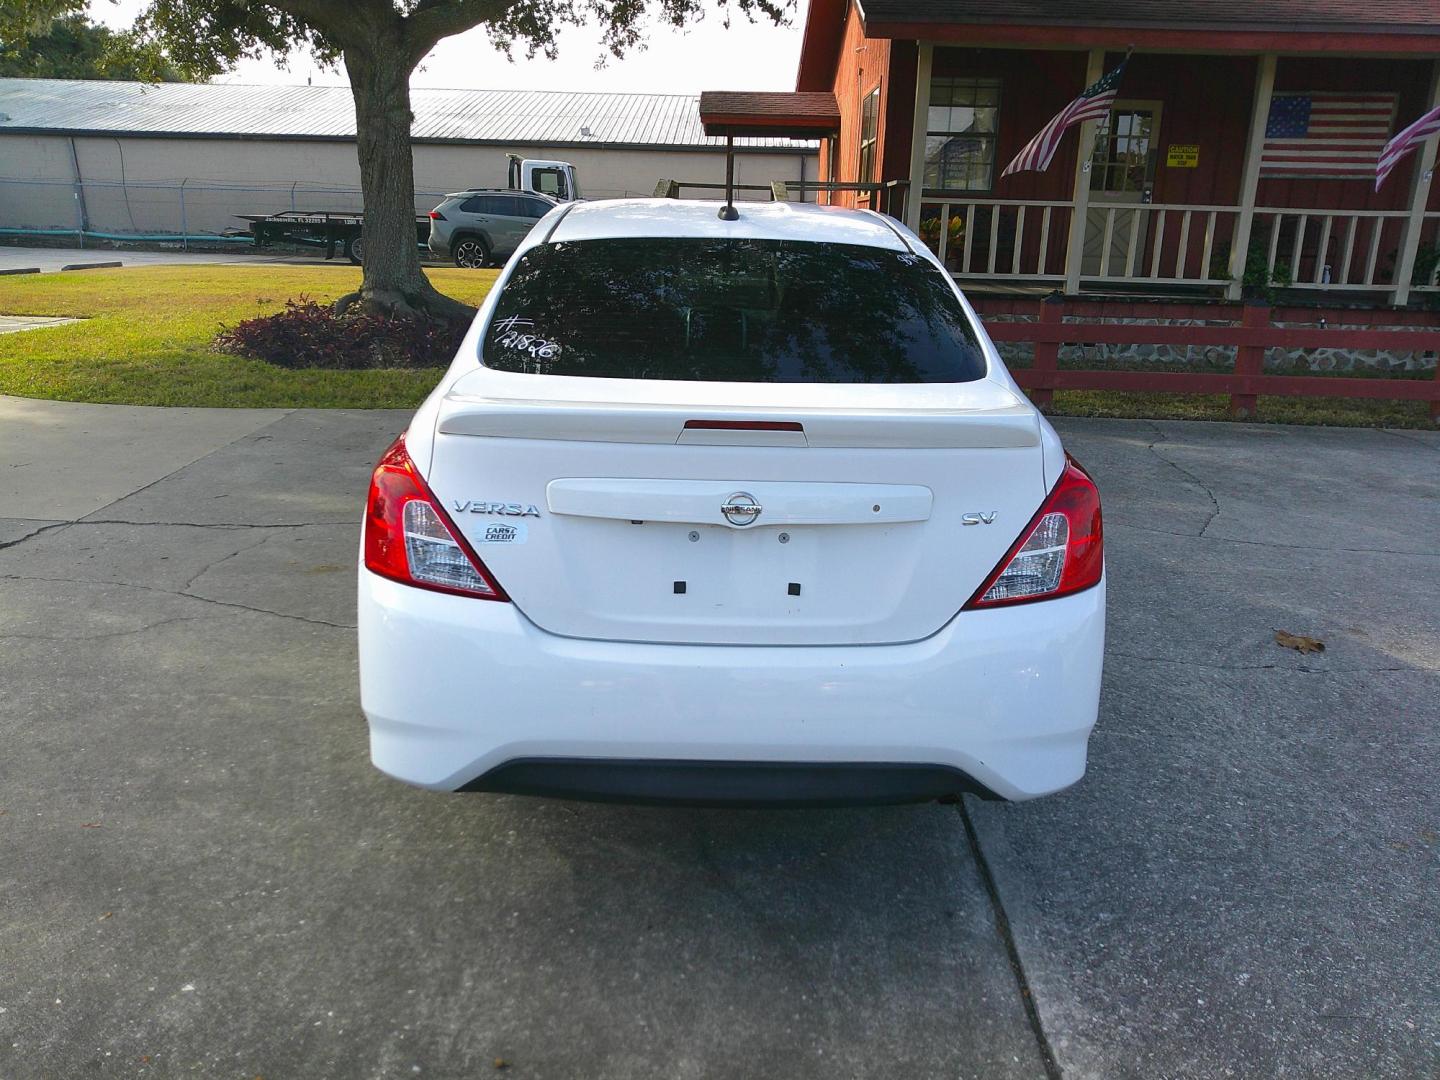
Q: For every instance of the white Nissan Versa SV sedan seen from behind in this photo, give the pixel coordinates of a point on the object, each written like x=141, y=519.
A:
x=731, y=512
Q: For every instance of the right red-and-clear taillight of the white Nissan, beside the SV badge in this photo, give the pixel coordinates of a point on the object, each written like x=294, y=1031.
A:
x=1061, y=552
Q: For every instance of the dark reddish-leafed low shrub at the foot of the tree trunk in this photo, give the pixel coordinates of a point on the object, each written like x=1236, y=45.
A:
x=310, y=335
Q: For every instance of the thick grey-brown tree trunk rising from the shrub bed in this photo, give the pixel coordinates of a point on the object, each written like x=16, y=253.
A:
x=394, y=280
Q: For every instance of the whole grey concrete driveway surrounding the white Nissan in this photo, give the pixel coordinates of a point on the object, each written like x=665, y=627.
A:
x=201, y=875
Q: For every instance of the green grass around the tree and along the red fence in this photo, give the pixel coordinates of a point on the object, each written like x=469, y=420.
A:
x=148, y=333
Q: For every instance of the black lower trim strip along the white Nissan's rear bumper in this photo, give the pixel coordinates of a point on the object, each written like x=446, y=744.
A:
x=729, y=784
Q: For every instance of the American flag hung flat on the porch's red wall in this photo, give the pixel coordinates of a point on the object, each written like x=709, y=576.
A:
x=1327, y=135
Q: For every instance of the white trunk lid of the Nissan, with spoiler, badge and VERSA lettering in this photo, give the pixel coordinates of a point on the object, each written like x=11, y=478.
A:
x=739, y=515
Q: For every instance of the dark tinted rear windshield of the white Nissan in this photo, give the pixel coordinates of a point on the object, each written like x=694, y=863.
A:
x=751, y=312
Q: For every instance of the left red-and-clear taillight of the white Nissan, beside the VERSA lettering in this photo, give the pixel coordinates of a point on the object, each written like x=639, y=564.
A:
x=411, y=539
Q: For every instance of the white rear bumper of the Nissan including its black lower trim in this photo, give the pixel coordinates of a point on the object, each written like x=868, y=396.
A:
x=464, y=693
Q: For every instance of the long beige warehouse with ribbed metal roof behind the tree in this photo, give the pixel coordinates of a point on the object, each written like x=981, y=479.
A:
x=129, y=148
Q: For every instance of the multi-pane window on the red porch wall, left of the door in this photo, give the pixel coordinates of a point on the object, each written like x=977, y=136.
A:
x=960, y=139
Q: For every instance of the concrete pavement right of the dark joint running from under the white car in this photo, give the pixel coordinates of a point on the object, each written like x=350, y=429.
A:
x=1248, y=881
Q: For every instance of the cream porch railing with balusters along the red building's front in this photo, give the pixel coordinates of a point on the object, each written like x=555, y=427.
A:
x=1176, y=244
